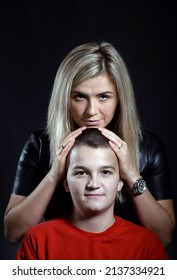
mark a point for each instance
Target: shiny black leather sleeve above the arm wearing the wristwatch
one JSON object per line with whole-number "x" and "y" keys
{"x": 154, "y": 166}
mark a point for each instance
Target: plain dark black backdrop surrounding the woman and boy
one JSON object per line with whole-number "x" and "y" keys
{"x": 34, "y": 38}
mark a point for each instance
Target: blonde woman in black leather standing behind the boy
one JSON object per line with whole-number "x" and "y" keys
{"x": 92, "y": 88}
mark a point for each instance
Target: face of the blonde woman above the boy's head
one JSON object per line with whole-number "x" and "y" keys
{"x": 94, "y": 101}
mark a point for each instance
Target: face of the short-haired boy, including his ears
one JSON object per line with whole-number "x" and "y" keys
{"x": 93, "y": 179}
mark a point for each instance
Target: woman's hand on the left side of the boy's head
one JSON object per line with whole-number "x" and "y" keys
{"x": 58, "y": 168}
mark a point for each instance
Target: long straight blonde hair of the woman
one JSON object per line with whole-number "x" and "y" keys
{"x": 84, "y": 62}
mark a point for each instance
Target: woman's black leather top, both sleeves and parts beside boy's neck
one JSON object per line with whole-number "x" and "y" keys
{"x": 33, "y": 165}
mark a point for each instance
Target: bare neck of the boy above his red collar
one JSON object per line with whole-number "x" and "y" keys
{"x": 96, "y": 223}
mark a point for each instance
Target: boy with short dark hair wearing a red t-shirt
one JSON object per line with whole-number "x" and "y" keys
{"x": 92, "y": 231}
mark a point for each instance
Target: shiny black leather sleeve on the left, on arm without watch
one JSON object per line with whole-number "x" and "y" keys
{"x": 33, "y": 164}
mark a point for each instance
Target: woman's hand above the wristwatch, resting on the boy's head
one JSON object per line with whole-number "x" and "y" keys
{"x": 128, "y": 171}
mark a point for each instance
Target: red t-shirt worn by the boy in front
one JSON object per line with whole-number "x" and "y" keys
{"x": 58, "y": 239}
